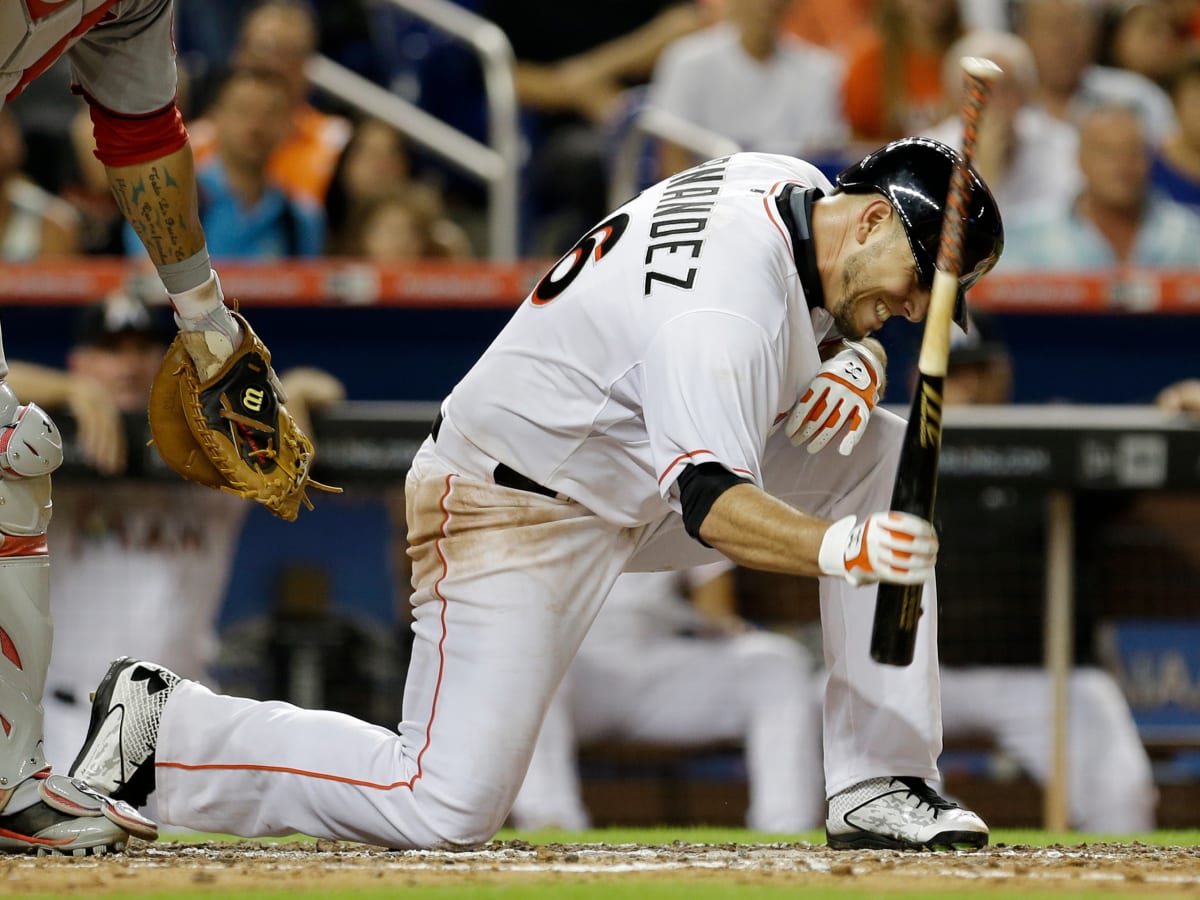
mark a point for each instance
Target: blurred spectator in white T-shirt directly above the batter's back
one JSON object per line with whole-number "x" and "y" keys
{"x": 747, "y": 80}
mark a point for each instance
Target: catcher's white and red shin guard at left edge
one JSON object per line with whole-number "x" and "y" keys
{"x": 31, "y": 449}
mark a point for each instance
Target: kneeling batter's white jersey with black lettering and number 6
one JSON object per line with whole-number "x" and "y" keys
{"x": 676, "y": 332}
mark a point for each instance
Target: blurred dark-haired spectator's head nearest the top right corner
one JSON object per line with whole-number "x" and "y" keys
{"x": 1142, "y": 37}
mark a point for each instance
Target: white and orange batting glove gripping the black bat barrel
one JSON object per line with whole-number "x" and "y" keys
{"x": 892, "y": 547}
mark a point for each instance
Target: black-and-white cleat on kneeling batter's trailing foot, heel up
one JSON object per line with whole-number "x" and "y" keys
{"x": 118, "y": 755}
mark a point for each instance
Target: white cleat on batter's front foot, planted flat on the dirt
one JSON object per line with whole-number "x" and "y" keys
{"x": 901, "y": 813}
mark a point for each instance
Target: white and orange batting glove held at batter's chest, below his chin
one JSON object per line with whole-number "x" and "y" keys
{"x": 838, "y": 401}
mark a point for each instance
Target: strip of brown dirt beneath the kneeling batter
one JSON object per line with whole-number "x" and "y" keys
{"x": 146, "y": 868}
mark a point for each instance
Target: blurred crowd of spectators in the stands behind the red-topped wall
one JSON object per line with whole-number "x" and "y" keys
{"x": 1094, "y": 135}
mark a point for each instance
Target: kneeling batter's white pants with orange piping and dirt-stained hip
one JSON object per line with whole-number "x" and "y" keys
{"x": 507, "y": 584}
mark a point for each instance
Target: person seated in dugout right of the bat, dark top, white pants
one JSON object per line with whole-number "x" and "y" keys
{"x": 991, "y": 631}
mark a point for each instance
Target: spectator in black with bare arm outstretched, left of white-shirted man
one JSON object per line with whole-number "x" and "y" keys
{"x": 572, "y": 76}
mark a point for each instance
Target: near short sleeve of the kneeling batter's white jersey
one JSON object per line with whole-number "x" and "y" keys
{"x": 712, "y": 385}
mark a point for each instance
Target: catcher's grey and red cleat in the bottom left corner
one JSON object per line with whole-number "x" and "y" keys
{"x": 70, "y": 819}
